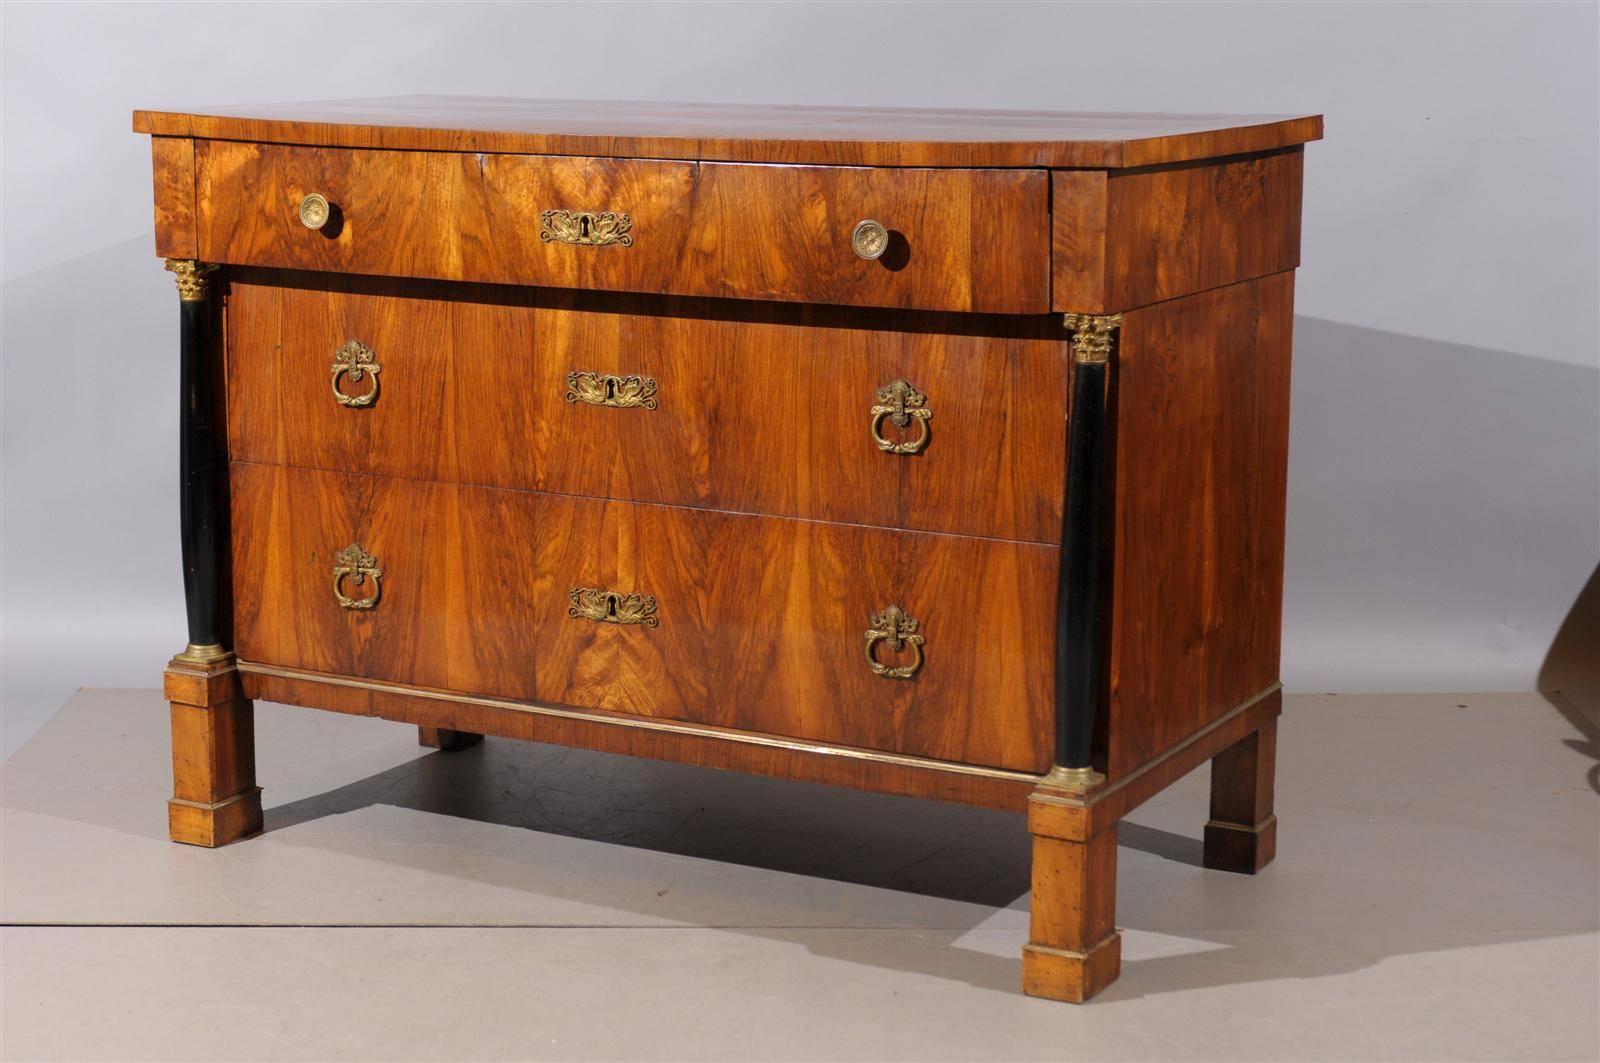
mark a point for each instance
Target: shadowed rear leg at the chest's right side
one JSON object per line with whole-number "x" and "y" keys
{"x": 1244, "y": 832}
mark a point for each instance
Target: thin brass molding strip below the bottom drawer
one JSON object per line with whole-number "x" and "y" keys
{"x": 698, "y": 731}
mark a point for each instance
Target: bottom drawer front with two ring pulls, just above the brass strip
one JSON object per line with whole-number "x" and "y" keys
{"x": 753, "y": 624}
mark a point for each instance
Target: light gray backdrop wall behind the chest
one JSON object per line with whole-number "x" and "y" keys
{"x": 1446, "y": 454}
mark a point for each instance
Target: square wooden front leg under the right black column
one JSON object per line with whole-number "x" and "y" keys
{"x": 1074, "y": 950}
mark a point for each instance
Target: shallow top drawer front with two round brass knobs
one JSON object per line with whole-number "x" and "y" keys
{"x": 958, "y": 239}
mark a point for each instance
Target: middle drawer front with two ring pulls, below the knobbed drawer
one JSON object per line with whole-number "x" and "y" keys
{"x": 788, "y": 412}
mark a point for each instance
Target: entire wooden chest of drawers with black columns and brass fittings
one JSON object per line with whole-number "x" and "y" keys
{"x": 937, "y": 454}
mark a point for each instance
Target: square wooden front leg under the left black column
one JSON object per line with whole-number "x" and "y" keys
{"x": 215, "y": 795}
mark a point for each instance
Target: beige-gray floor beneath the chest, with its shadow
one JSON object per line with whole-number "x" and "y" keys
{"x": 1434, "y": 899}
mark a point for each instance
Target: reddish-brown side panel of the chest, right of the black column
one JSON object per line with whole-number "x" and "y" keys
{"x": 1201, "y": 479}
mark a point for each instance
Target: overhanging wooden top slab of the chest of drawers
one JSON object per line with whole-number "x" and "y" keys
{"x": 876, "y": 137}
